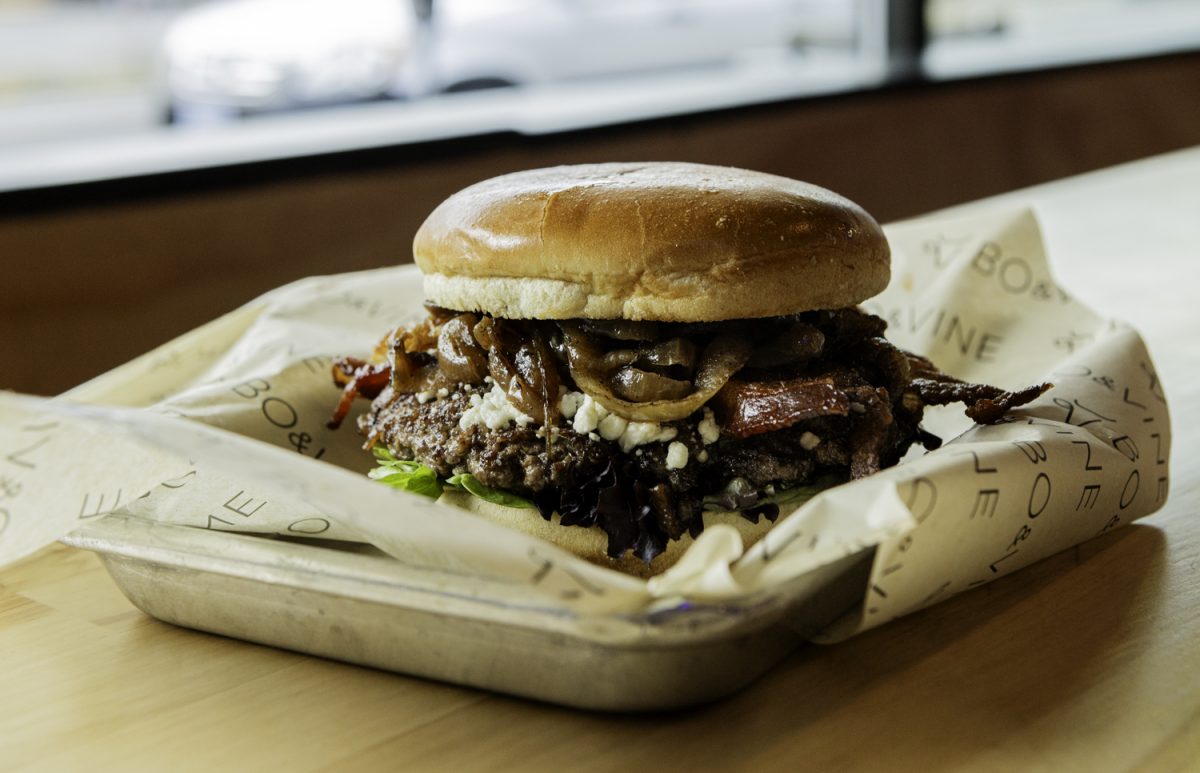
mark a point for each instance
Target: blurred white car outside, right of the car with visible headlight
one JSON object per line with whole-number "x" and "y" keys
{"x": 471, "y": 44}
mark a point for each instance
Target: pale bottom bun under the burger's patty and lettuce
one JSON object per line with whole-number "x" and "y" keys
{"x": 591, "y": 543}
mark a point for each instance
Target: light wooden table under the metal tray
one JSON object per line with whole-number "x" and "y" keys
{"x": 1089, "y": 661}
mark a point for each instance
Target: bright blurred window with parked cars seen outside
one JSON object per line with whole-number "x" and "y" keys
{"x": 98, "y": 89}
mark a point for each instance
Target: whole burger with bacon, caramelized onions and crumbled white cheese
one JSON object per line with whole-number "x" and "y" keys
{"x": 615, "y": 356}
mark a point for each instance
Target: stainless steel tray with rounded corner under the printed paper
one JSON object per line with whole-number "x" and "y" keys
{"x": 355, "y": 604}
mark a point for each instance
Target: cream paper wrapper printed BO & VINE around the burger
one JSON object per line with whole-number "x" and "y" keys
{"x": 225, "y": 429}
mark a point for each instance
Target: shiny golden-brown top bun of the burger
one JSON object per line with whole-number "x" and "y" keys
{"x": 664, "y": 242}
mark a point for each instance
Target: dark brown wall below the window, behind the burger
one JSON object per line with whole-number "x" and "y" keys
{"x": 95, "y": 275}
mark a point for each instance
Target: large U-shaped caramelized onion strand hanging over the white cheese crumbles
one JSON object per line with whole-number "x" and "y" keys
{"x": 722, "y": 358}
